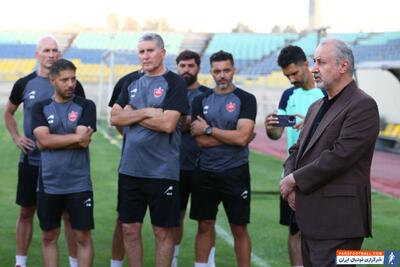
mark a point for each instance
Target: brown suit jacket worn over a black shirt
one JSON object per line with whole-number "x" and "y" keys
{"x": 333, "y": 193}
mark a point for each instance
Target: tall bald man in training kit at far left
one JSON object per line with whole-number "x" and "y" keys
{"x": 29, "y": 90}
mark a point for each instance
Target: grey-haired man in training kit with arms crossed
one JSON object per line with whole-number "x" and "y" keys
{"x": 149, "y": 109}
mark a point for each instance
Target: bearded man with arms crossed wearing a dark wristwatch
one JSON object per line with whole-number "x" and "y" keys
{"x": 223, "y": 124}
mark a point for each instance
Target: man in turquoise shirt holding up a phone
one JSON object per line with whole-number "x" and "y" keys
{"x": 294, "y": 101}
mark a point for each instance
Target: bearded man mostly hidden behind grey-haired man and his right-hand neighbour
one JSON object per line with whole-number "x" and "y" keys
{"x": 188, "y": 66}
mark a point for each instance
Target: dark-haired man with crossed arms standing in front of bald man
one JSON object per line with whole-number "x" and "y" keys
{"x": 63, "y": 126}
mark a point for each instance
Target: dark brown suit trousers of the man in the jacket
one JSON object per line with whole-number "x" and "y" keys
{"x": 322, "y": 252}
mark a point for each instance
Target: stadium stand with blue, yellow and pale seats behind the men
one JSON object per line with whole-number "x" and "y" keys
{"x": 255, "y": 53}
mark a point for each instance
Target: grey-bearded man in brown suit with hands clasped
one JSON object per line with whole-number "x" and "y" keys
{"x": 327, "y": 173}
